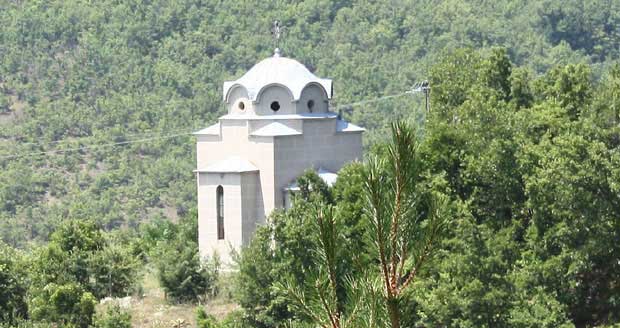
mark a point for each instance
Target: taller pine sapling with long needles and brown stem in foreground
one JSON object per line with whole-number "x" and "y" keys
{"x": 404, "y": 232}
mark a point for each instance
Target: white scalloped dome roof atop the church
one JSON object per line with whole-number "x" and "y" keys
{"x": 280, "y": 71}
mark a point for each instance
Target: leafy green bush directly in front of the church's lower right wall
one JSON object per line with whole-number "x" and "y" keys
{"x": 282, "y": 247}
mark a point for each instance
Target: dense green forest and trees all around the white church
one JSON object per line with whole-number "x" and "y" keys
{"x": 511, "y": 182}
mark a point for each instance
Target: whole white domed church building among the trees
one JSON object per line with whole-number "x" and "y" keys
{"x": 278, "y": 125}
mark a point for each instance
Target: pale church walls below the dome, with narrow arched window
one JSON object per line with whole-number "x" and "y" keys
{"x": 251, "y": 196}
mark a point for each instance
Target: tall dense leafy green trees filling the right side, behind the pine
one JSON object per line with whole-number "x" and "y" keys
{"x": 532, "y": 168}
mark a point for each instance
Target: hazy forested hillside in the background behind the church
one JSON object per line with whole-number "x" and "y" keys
{"x": 79, "y": 73}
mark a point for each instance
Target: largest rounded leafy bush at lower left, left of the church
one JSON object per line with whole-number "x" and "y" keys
{"x": 78, "y": 266}
